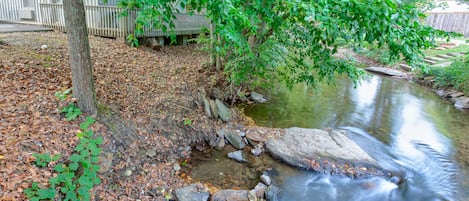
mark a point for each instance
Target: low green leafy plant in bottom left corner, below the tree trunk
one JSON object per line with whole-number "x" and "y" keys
{"x": 75, "y": 179}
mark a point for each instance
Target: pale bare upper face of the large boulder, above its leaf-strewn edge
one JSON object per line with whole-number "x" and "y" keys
{"x": 302, "y": 147}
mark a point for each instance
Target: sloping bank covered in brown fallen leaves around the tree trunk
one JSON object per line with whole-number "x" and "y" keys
{"x": 144, "y": 95}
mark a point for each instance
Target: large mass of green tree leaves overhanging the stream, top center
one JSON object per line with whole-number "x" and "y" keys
{"x": 296, "y": 40}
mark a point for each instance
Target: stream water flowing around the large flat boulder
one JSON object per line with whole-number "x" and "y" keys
{"x": 406, "y": 127}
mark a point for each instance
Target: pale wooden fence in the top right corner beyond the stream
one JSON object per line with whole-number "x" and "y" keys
{"x": 450, "y": 21}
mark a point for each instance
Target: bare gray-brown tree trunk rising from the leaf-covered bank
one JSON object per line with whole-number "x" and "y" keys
{"x": 80, "y": 59}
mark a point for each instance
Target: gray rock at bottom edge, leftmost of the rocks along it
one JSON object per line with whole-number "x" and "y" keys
{"x": 194, "y": 192}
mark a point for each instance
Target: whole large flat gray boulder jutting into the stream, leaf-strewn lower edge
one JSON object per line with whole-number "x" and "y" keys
{"x": 323, "y": 151}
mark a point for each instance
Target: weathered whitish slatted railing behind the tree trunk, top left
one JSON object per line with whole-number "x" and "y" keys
{"x": 102, "y": 20}
